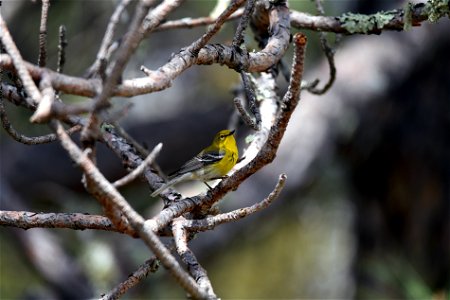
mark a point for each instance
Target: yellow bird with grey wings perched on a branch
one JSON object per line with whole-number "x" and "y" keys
{"x": 213, "y": 162}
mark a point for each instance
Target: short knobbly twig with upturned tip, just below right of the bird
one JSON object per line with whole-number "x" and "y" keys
{"x": 210, "y": 223}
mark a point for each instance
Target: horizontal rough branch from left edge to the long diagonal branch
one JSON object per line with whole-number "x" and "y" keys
{"x": 76, "y": 221}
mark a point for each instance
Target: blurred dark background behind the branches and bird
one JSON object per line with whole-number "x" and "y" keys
{"x": 366, "y": 209}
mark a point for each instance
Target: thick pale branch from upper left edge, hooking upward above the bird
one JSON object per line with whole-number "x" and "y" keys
{"x": 162, "y": 77}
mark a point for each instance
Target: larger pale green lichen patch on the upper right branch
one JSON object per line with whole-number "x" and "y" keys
{"x": 358, "y": 23}
